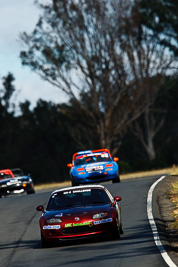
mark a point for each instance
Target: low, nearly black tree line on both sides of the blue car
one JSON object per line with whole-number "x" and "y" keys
{"x": 41, "y": 140}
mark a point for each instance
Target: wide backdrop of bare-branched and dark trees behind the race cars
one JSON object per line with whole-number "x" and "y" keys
{"x": 117, "y": 63}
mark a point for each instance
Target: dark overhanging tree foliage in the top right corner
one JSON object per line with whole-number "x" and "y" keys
{"x": 161, "y": 17}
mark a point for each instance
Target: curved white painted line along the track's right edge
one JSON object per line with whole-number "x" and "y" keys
{"x": 153, "y": 224}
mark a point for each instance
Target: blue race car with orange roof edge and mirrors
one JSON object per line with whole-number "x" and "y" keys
{"x": 93, "y": 166}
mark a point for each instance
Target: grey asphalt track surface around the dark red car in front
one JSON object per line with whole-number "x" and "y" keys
{"x": 20, "y": 236}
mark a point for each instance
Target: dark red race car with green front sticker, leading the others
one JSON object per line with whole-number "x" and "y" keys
{"x": 81, "y": 211}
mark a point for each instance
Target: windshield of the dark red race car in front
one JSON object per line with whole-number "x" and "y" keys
{"x": 81, "y": 197}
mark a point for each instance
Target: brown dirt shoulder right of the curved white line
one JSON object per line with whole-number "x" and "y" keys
{"x": 165, "y": 208}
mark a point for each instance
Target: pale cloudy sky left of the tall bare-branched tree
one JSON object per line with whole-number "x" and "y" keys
{"x": 17, "y": 16}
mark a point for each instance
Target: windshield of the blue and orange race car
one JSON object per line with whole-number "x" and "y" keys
{"x": 92, "y": 158}
